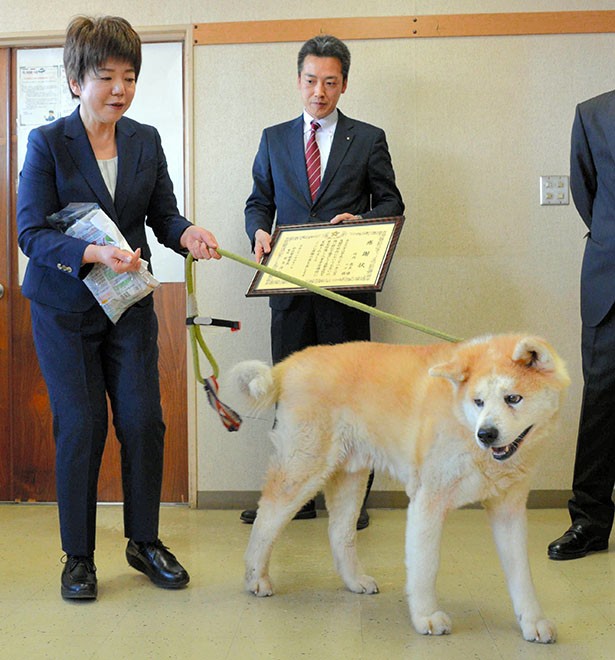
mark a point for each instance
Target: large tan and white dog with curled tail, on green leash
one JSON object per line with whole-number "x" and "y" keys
{"x": 455, "y": 423}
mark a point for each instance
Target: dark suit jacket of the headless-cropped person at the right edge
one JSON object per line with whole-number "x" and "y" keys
{"x": 592, "y": 182}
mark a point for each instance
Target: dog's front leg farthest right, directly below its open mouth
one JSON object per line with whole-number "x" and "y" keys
{"x": 509, "y": 526}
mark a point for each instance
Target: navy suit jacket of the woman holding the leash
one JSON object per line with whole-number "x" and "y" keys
{"x": 60, "y": 168}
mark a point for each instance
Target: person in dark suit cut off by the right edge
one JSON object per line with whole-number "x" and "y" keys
{"x": 592, "y": 180}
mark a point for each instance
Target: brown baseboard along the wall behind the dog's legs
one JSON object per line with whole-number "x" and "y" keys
{"x": 384, "y": 499}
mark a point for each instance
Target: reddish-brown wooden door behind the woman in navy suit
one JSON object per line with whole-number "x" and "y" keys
{"x": 26, "y": 428}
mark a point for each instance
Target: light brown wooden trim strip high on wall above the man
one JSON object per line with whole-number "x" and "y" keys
{"x": 407, "y": 27}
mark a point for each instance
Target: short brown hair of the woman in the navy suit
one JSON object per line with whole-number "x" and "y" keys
{"x": 90, "y": 42}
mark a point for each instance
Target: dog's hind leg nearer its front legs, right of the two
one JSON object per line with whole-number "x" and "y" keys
{"x": 344, "y": 493}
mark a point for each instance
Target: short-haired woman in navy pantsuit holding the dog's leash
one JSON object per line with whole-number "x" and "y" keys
{"x": 98, "y": 155}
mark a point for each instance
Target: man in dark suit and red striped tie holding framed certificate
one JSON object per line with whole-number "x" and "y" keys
{"x": 354, "y": 180}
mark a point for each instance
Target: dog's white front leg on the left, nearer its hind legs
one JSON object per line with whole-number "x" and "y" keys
{"x": 423, "y": 535}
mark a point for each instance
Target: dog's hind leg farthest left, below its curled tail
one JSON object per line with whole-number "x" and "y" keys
{"x": 287, "y": 488}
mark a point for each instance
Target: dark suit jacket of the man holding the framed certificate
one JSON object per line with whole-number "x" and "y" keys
{"x": 358, "y": 179}
